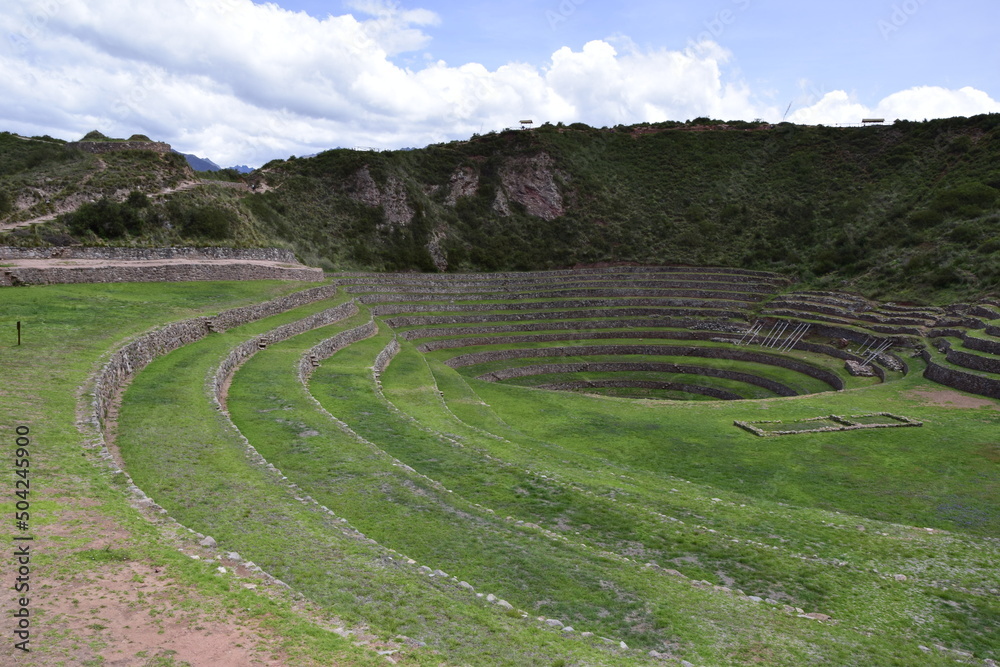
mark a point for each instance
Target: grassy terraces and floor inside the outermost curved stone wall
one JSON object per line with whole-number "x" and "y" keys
{"x": 653, "y": 522}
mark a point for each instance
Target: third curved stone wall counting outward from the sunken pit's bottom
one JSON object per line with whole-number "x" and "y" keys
{"x": 821, "y": 374}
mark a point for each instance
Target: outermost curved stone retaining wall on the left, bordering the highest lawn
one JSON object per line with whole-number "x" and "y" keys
{"x": 136, "y": 355}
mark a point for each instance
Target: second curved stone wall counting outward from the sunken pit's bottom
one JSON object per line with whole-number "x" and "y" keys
{"x": 635, "y": 367}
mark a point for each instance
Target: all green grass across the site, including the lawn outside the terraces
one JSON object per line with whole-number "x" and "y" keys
{"x": 404, "y": 505}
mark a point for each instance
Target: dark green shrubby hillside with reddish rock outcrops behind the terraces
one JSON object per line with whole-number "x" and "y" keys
{"x": 905, "y": 211}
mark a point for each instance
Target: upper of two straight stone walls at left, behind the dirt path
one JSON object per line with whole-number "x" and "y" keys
{"x": 135, "y": 254}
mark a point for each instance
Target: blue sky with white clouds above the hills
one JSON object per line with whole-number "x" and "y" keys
{"x": 244, "y": 82}
